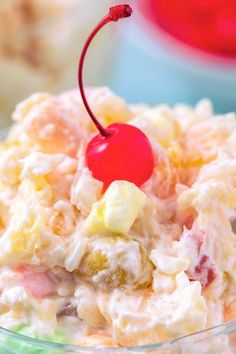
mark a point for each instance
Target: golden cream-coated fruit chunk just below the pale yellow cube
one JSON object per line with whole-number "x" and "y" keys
{"x": 108, "y": 264}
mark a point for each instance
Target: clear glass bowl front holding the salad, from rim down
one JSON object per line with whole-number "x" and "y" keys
{"x": 220, "y": 339}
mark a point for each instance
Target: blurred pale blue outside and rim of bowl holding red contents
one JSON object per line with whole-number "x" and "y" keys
{"x": 153, "y": 67}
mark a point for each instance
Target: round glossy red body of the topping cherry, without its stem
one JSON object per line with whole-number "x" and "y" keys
{"x": 125, "y": 155}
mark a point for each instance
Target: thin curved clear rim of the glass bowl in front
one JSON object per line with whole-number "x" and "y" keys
{"x": 200, "y": 336}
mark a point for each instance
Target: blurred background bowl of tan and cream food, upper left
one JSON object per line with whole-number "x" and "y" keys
{"x": 40, "y": 45}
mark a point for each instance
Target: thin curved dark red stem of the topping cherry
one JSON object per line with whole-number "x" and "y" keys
{"x": 115, "y": 13}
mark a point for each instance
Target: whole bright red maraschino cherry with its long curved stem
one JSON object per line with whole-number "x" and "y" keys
{"x": 120, "y": 151}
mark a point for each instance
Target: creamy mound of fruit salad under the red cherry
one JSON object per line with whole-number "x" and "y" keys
{"x": 122, "y": 265}
